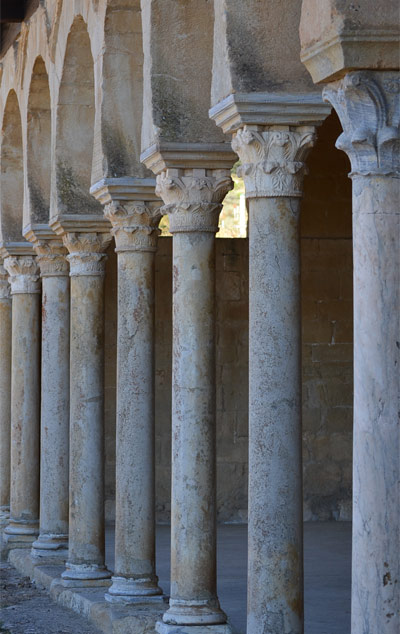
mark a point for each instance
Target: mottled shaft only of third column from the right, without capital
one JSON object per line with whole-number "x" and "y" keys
{"x": 193, "y": 512}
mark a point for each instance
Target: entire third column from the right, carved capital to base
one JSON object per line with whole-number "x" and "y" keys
{"x": 193, "y": 201}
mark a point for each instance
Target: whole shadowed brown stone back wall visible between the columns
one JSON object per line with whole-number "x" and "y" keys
{"x": 327, "y": 352}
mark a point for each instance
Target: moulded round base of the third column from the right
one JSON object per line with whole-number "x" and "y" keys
{"x": 190, "y": 613}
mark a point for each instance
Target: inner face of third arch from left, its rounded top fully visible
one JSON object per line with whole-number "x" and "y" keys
{"x": 75, "y": 126}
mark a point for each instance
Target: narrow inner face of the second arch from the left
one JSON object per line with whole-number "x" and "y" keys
{"x": 39, "y": 144}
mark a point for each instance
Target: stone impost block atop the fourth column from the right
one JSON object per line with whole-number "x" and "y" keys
{"x": 124, "y": 189}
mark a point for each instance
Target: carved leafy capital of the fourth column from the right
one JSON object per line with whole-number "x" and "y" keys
{"x": 134, "y": 224}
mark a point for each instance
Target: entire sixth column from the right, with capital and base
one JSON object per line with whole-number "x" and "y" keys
{"x": 54, "y": 440}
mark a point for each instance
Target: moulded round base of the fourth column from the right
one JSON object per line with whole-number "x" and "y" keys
{"x": 129, "y": 590}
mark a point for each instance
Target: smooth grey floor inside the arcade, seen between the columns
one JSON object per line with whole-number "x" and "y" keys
{"x": 327, "y": 567}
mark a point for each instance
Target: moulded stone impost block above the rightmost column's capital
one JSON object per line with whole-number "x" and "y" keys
{"x": 331, "y": 58}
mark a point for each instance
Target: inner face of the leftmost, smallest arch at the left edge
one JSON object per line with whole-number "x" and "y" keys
{"x": 12, "y": 175}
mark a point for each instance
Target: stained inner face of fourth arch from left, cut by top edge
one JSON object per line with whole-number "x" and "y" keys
{"x": 121, "y": 93}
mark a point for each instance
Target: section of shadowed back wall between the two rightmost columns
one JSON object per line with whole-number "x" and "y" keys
{"x": 327, "y": 325}
